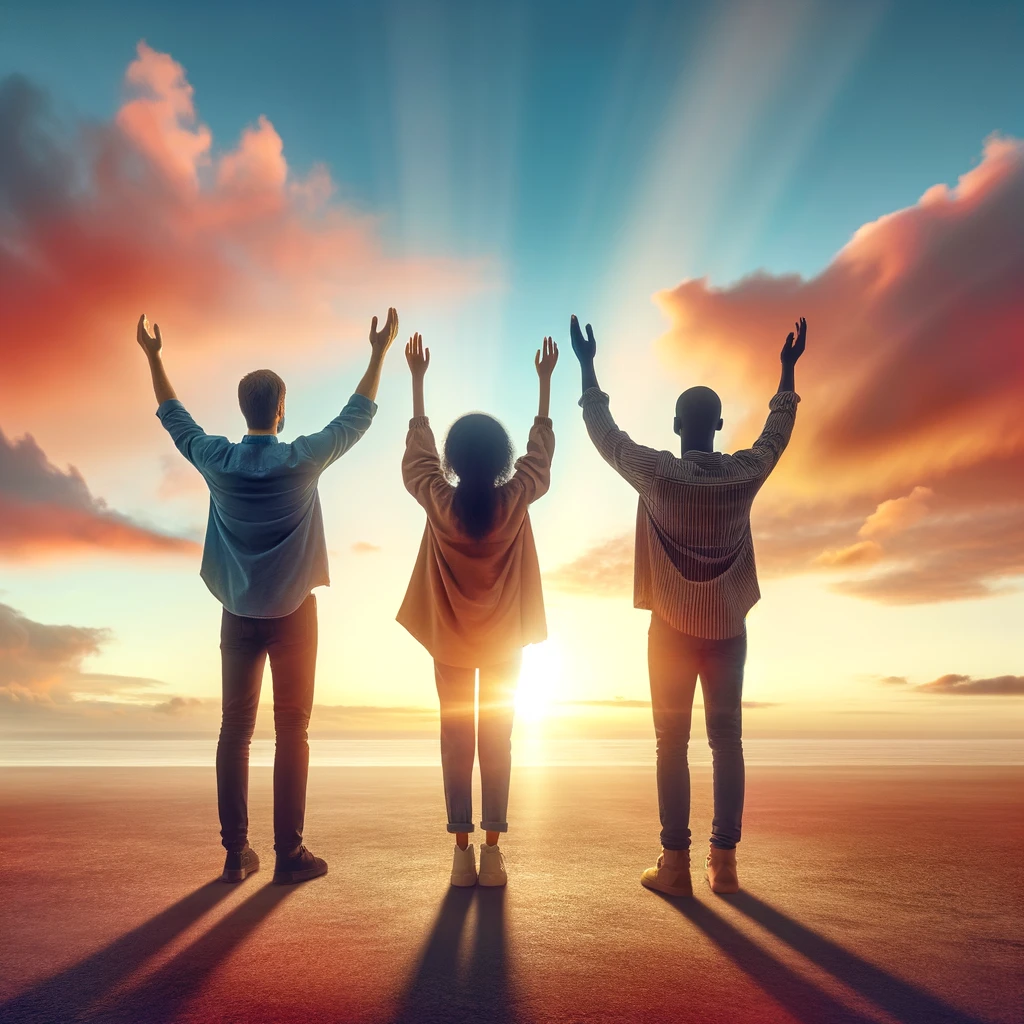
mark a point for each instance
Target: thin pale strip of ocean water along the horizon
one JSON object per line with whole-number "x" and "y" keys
{"x": 421, "y": 752}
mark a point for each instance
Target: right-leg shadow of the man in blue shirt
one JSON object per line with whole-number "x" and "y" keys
{"x": 162, "y": 996}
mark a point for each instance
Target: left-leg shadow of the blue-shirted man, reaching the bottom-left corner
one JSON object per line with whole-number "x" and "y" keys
{"x": 67, "y": 997}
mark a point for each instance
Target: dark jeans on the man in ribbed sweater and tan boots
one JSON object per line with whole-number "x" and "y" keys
{"x": 676, "y": 661}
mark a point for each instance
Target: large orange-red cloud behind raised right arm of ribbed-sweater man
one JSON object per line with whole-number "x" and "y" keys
{"x": 907, "y": 467}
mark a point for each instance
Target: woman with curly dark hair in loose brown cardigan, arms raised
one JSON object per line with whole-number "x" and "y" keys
{"x": 475, "y": 601}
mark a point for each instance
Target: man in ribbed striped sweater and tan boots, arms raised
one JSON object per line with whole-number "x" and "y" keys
{"x": 695, "y": 571}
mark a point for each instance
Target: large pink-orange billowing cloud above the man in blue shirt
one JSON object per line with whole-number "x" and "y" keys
{"x": 227, "y": 250}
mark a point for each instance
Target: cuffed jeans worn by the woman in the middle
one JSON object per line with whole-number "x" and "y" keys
{"x": 456, "y": 691}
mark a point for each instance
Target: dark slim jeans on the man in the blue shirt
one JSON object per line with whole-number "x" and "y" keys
{"x": 245, "y": 645}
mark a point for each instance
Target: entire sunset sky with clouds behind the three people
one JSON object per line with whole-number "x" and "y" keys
{"x": 690, "y": 179}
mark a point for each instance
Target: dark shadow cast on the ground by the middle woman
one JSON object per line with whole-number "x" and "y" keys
{"x": 440, "y": 991}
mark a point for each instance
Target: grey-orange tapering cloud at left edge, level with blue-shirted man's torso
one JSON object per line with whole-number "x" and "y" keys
{"x": 46, "y": 511}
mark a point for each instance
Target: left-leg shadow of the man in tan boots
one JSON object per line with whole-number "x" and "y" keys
{"x": 805, "y": 1001}
